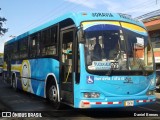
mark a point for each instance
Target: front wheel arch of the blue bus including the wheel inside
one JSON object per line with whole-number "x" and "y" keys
{"x": 52, "y": 91}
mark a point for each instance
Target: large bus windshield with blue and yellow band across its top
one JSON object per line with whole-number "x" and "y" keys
{"x": 111, "y": 45}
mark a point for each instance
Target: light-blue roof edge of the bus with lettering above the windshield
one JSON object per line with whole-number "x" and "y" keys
{"x": 78, "y": 18}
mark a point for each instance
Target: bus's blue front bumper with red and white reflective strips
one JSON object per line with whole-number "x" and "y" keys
{"x": 112, "y": 102}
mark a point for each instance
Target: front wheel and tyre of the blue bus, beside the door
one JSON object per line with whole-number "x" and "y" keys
{"x": 52, "y": 95}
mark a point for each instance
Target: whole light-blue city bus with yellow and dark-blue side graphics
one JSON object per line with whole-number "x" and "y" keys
{"x": 85, "y": 60}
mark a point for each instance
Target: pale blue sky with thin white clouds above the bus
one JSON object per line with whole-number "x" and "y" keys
{"x": 24, "y": 15}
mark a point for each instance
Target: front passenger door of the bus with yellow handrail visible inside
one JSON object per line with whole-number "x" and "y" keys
{"x": 67, "y": 64}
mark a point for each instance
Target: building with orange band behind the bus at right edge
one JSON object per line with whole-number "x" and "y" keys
{"x": 152, "y": 23}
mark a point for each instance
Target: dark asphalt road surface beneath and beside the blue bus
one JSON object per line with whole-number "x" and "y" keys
{"x": 23, "y": 102}
